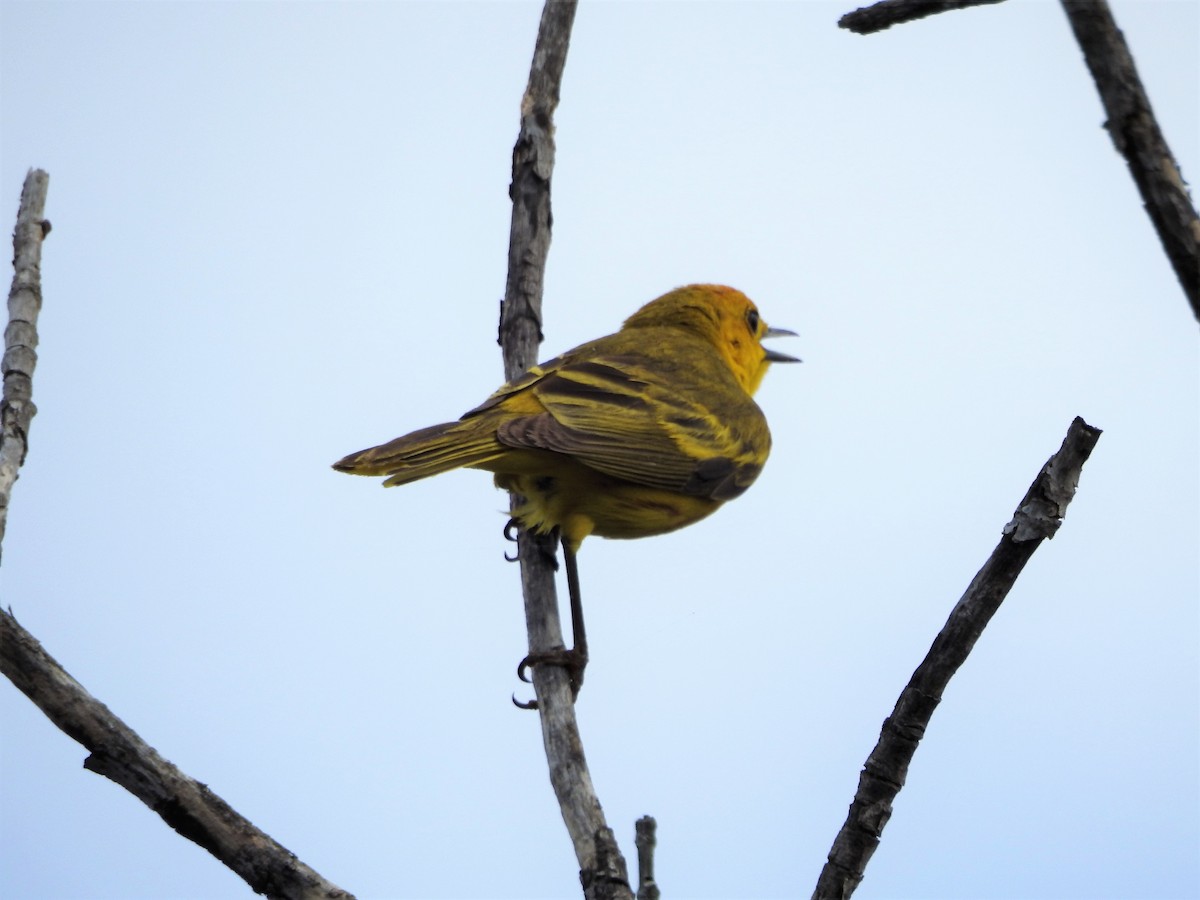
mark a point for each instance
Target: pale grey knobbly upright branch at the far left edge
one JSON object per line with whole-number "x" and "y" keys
{"x": 17, "y": 407}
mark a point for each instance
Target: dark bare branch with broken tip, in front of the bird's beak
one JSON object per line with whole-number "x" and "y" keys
{"x": 1037, "y": 518}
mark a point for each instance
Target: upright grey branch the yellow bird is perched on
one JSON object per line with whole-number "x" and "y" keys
{"x": 603, "y": 869}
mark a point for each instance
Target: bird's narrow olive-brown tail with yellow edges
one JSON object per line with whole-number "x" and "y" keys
{"x": 429, "y": 452}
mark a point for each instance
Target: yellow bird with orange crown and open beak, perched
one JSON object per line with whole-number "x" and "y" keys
{"x": 634, "y": 435}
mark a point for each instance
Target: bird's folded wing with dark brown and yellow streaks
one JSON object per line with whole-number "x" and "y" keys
{"x": 637, "y": 419}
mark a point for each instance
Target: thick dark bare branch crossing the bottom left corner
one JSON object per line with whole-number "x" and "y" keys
{"x": 117, "y": 753}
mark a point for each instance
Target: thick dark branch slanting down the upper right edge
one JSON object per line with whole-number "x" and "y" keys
{"x": 1138, "y": 139}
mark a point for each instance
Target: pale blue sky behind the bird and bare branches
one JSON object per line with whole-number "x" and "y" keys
{"x": 280, "y": 236}
